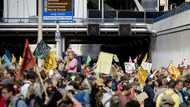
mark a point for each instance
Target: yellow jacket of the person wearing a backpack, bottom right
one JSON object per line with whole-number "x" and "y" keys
{"x": 173, "y": 95}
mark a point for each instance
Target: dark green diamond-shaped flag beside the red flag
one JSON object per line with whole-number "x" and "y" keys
{"x": 41, "y": 50}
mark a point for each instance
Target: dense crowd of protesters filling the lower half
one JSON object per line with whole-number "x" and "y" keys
{"x": 76, "y": 85}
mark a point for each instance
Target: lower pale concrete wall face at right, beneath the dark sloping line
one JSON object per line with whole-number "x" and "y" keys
{"x": 172, "y": 47}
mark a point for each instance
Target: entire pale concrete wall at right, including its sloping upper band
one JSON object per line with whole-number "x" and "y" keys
{"x": 171, "y": 45}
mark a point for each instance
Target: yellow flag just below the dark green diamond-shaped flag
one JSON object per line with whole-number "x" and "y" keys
{"x": 50, "y": 62}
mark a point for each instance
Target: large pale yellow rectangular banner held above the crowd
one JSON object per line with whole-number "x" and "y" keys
{"x": 104, "y": 63}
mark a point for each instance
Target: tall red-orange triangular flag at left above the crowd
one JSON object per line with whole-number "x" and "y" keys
{"x": 28, "y": 59}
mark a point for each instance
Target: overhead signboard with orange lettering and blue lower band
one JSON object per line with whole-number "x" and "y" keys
{"x": 58, "y": 10}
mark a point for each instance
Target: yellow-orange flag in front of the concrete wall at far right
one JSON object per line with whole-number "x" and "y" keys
{"x": 174, "y": 71}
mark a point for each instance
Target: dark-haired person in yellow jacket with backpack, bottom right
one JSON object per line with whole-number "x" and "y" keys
{"x": 169, "y": 98}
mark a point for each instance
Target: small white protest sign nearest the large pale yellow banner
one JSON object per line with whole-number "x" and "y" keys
{"x": 129, "y": 67}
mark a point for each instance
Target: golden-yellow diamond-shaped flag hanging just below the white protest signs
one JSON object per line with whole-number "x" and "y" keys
{"x": 142, "y": 75}
